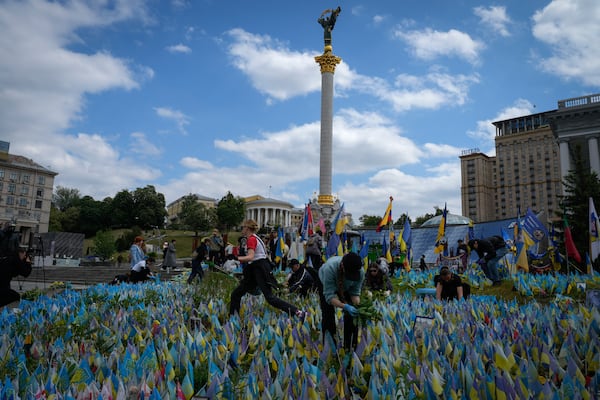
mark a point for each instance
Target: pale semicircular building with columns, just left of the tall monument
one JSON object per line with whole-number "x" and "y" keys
{"x": 269, "y": 212}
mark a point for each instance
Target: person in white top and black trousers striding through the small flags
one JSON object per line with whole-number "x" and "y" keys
{"x": 256, "y": 274}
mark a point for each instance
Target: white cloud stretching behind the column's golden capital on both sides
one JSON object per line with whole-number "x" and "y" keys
{"x": 269, "y": 66}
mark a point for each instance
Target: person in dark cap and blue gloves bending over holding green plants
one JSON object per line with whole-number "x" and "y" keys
{"x": 341, "y": 280}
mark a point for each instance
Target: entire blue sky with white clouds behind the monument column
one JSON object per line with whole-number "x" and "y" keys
{"x": 214, "y": 96}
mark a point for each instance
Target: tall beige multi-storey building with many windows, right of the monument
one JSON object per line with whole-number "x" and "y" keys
{"x": 525, "y": 172}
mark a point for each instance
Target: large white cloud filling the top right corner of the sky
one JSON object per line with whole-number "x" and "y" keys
{"x": 570, "y": 29}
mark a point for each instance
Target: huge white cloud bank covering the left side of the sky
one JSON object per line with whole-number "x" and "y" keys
{"x": 44, "y": 82}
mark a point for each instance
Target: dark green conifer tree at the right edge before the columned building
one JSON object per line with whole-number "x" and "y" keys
{"x": 580, "y": 184}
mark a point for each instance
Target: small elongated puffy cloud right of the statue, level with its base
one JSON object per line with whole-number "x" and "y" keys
{"x": 429, "y": 44}
